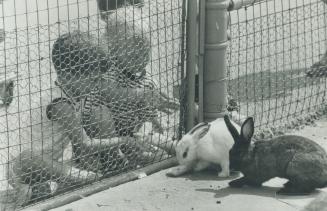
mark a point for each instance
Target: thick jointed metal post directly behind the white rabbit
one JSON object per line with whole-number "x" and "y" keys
{"x": 214, "y": 79}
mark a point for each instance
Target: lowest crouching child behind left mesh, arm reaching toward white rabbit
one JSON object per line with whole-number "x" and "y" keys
{"x": 32, "y": 171}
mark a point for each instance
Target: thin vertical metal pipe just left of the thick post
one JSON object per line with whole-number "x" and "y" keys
{"x": 191, "y": 57}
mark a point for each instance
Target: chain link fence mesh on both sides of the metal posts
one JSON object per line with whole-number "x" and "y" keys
{"x": 90, "y": 87}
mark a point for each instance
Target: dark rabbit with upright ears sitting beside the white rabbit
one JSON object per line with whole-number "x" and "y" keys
{"x": 298, "y": 159}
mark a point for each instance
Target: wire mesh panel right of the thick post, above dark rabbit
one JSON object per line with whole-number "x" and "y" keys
{"x": 273, "y": 56}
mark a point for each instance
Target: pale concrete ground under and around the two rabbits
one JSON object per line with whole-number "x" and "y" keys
{"x": 200, "y": 191}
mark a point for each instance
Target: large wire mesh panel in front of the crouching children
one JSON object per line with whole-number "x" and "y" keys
{"x": 88, "y": 92}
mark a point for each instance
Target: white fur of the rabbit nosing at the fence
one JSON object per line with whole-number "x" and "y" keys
{"x": 212, "y": 148}
